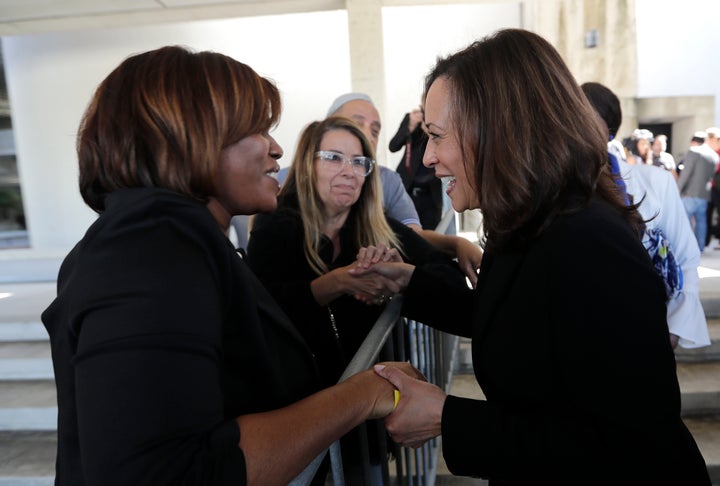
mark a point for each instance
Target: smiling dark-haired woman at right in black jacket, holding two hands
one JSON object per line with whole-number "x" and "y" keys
{"x": 569, "y": 337}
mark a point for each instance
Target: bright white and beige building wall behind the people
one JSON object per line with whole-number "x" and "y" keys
{"x": 654, "y": 54}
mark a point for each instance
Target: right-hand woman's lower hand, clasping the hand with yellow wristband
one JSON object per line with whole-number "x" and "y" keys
{"x": 418, "y": 416}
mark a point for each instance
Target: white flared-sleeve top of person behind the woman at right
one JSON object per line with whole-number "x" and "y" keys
{"x": 664, "y": 209}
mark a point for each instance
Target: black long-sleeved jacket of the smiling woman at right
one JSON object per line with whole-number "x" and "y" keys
{"x": 570, "y": 346}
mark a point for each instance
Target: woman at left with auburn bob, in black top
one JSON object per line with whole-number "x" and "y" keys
{"x": 173, "y": 364}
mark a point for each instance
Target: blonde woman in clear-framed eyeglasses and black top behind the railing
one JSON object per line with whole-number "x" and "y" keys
{"x": 329, "y": 209}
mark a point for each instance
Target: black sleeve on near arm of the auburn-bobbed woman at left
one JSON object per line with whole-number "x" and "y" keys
{"x": 149, "y": 401}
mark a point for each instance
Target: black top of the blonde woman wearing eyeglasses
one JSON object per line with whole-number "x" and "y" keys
{"x": 276, "y": 255}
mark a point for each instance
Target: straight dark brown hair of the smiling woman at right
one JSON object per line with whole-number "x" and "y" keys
{"x": 532, "y": 136}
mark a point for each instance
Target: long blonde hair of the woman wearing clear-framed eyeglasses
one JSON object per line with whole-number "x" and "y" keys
{"x": 367, "y": 219}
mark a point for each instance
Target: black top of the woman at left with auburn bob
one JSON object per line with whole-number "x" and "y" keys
{"x": 160, "y": 337}
